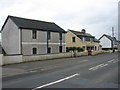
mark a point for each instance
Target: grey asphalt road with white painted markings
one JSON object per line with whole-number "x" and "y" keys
{"x": 100, "y": 71}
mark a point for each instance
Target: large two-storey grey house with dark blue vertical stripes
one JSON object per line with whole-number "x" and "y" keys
{"x": 28, "y": 37}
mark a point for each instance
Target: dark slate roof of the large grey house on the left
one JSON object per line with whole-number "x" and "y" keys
{"x": 35, "y": 24}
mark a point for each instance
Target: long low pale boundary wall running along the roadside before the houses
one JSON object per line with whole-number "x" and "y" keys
{"x": 26, "y": 58}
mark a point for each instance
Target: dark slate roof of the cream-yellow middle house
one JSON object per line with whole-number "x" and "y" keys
{"x": 81, "y": 34}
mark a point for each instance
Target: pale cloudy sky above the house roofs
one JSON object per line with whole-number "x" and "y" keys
{"x": 96, "y": 16}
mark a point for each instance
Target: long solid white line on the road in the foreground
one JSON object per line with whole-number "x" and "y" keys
{"x": 57, "y": 81}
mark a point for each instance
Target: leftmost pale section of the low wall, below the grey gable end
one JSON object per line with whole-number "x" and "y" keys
{"x": 12, "y": 59}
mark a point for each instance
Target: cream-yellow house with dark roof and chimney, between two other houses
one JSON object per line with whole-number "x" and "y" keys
{"x": 82, "y": 39}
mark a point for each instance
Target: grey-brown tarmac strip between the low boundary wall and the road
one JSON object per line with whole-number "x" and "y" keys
{"x": 26, "y": 67}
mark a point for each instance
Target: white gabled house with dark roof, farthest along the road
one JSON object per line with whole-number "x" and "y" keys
{"x": 108, "y": 42}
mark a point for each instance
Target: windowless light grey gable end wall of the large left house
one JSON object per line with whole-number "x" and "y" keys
{"x": 11, "y": 38}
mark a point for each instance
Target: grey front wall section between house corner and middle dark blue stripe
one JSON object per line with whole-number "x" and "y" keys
{"x": 28, "y": 43}
